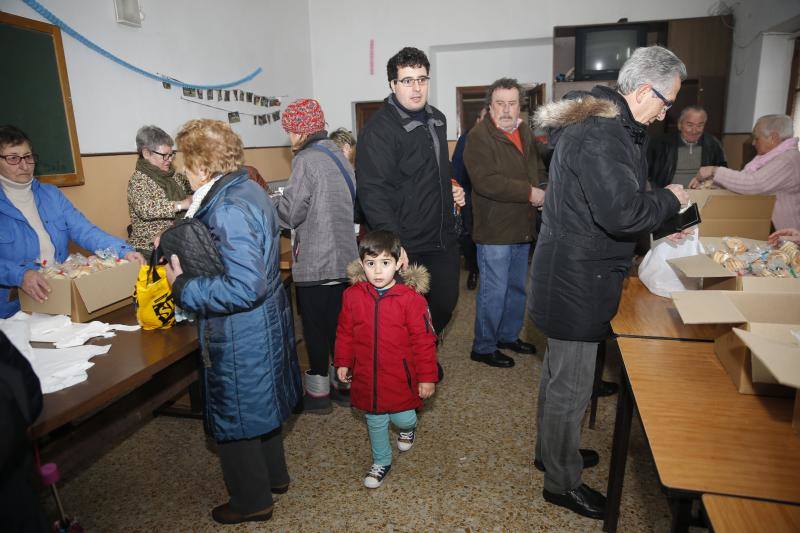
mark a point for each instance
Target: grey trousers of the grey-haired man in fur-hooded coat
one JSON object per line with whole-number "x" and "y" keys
{"x": 564, "y": 393}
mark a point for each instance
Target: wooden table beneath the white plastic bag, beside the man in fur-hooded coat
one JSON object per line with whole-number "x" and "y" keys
{"x": 643, "y": 314}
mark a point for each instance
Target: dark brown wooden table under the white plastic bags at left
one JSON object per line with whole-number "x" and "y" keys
{"x": 134, "y": 358}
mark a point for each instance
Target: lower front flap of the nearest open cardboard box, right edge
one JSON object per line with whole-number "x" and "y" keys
{"x": 780, "y": 359}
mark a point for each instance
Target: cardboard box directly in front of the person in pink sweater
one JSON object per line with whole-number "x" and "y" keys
{"x": 724, "y": 213}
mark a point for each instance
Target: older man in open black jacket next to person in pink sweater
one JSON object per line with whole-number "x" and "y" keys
{"x": 676, "y": 156}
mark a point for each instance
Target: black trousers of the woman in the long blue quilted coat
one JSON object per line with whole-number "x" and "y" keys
{"x": 251, "y": 467}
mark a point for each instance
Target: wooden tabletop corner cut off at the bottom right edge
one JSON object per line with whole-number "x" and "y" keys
{"x": 739, "y": 515}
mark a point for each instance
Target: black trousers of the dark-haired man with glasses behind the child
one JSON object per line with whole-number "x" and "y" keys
{"x": 443, "y": 295}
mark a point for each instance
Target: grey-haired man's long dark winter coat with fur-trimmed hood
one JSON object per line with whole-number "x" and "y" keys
{"x": 595, "y": 208}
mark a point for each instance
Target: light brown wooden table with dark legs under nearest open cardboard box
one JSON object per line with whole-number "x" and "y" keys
{"x": 705, "y": 437}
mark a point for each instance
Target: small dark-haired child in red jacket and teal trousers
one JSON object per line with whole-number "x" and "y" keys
{"x": 386, "y": 346}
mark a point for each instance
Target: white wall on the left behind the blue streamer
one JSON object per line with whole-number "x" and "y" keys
{"x": 195, "y": 41}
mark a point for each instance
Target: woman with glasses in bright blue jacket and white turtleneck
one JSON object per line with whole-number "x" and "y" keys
{"x": 36, "y": 224}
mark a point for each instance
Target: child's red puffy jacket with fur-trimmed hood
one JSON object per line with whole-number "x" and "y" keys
{"x": 387, "y": 342}
